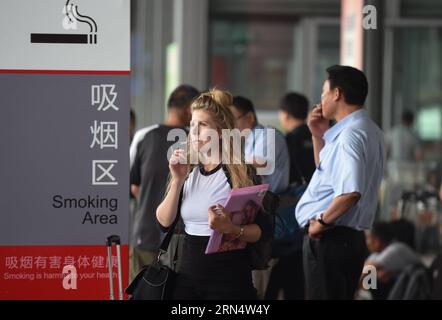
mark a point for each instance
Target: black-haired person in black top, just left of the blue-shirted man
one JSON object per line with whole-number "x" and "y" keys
{"x": 292, "y": 116}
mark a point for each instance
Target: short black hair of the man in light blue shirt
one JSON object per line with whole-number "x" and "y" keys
{"x": 351, "y": 81}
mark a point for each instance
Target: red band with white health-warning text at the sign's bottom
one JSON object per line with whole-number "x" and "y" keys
{"x": 36, "y": 272}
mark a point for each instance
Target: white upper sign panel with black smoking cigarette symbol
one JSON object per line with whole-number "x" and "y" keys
{"x": 65, "y": 35}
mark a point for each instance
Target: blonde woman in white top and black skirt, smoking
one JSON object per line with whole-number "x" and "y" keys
{"x": 225, "y": 275}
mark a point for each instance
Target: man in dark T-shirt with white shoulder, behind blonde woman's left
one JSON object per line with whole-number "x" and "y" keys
{"x": 148, "y": 176}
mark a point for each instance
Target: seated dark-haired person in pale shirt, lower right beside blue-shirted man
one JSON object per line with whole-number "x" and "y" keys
{"x": 388, "y": 256}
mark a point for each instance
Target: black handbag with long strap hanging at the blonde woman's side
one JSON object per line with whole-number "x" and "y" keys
{"x": 156, "y": 281}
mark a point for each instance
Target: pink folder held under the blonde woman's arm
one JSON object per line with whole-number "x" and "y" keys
{"x": 243, "y": 205}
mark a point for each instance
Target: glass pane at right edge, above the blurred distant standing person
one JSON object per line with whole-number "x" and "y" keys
{"x": 417, "y": 75}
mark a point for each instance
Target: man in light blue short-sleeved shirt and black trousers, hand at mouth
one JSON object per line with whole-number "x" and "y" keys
{"x": 340, "y": 201}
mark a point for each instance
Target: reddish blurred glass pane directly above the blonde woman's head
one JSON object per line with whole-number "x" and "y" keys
{"x": 253, "y": 58}
